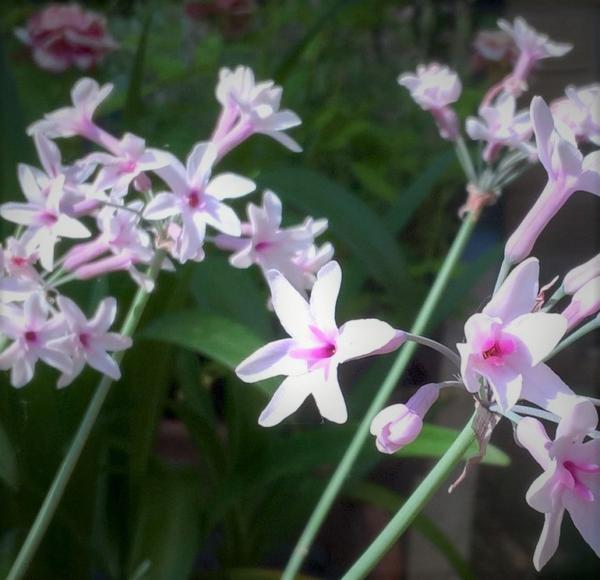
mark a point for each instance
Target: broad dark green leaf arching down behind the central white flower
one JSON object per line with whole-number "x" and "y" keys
{"x": 350, "y": 219}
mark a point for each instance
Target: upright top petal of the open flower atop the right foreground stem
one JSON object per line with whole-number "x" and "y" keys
{"x": 518, "y": 293}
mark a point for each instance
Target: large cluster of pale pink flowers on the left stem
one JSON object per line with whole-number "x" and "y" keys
{"x": 122, "y": 208}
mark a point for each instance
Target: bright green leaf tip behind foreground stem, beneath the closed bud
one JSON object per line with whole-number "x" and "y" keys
{"x": 433, "y": 441}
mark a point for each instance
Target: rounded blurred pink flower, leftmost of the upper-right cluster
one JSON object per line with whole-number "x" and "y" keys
{"x": 434, "y": 88}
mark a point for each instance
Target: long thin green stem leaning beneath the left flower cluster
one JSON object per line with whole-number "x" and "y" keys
{"x": 63, "y": 475}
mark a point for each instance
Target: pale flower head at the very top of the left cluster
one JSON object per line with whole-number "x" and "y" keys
{"x": 249, "y": 107}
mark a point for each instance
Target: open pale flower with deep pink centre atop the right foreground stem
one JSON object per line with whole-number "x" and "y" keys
{"x": 507, "y": 342}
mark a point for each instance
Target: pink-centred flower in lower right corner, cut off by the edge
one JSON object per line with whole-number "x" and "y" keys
{"x": 571, "y": 478}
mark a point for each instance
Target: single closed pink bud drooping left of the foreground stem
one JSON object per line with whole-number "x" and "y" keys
{"x": 398, "y": 425}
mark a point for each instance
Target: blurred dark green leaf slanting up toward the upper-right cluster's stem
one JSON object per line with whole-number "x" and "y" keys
{"x": 409, "y": 201}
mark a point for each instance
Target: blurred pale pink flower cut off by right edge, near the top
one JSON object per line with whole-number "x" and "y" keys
{"x": 580, "y": 111}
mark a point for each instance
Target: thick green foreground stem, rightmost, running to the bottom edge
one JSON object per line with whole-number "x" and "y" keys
{"x": 413, "y": 505}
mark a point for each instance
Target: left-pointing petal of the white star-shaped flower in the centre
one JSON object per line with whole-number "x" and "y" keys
{"x": 269, "y": 361}
